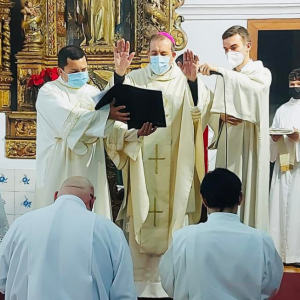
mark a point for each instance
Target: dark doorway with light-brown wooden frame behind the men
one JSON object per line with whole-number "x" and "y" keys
{"x": 276, "y": 43}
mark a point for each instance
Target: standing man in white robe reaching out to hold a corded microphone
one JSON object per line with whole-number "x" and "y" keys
{"x": 240, "y": 120}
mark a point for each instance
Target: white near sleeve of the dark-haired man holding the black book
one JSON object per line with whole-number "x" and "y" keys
{"x": 68, "y": 122}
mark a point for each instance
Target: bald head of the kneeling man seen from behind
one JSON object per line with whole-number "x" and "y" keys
{"x": 78, "y": 186}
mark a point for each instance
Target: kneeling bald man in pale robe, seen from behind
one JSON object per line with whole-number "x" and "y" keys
{"x": 65, "y": 252}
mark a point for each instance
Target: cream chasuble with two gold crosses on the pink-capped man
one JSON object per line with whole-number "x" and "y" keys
{"x": 162, "y": 184}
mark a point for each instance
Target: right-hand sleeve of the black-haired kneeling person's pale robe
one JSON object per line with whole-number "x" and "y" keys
{"x": 272, "y": 269}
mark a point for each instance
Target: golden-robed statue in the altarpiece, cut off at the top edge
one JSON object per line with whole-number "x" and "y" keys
{"x": 98, "y": 19}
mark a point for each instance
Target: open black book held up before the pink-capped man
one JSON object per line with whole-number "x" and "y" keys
{"x": 142, "y": 104}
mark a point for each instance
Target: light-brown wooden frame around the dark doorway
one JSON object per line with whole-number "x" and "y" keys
{"x": 254, "y": 26}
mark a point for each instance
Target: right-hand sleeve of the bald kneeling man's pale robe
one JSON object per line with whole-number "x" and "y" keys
{"x": 123, "y": 287}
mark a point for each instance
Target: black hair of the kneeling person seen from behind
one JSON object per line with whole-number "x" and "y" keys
{"x": 221, "y": 188}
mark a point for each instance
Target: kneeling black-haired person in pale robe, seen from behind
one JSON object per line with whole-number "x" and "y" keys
{"x": 222, "y": 258}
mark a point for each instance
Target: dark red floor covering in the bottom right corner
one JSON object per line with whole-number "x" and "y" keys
{"x": 290, "y": 287}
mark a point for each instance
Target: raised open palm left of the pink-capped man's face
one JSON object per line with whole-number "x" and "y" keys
{"x": 122, "y": 57}
